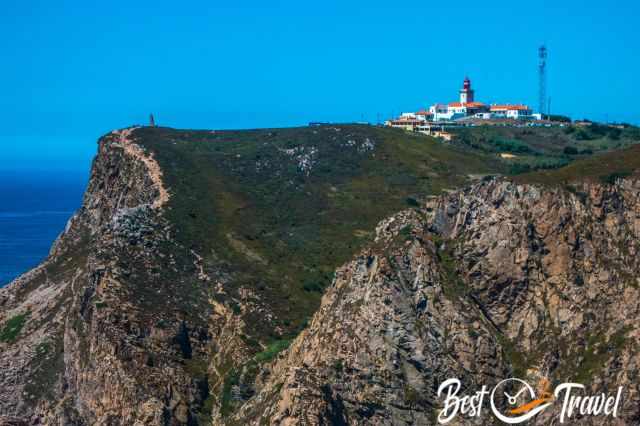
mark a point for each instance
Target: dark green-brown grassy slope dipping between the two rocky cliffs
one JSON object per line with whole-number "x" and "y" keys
{"x": 239, "y": 200}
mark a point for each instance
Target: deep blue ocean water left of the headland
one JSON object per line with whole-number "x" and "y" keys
{"x": 34, "y": 209}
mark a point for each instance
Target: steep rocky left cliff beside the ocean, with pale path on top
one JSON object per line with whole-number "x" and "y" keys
{"x": 107, "y": 331}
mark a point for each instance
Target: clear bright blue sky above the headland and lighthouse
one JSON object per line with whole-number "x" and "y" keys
{"x": 73, "y": 70}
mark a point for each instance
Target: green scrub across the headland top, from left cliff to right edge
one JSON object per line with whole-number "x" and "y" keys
{"x": 242, "y": 201}
